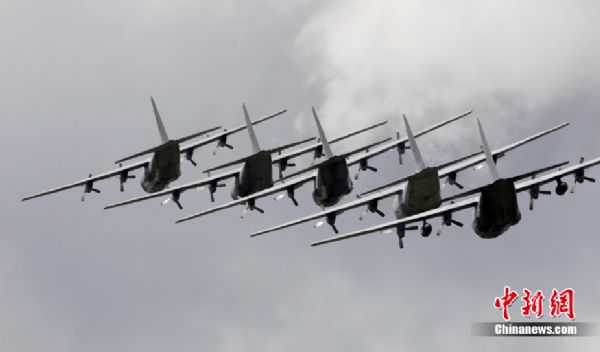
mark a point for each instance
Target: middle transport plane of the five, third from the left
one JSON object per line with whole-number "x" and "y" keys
{"x": 331, "y": 177}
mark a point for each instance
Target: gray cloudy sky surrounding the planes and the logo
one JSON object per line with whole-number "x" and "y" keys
{"x": 77, "y": 78}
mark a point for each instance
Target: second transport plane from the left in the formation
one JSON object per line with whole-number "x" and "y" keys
{"x": 255, "y": 174}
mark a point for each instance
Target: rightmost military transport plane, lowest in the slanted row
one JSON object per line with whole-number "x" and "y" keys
{"x": 496, "y": 206}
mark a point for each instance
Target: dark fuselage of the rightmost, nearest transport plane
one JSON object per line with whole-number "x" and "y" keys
{"x": 497, "y": 210}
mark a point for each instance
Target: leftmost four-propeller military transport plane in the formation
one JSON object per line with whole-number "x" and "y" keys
{"x": 164, "y": 166}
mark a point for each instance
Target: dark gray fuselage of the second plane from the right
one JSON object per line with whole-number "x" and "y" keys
{"x": 421, "y": 193}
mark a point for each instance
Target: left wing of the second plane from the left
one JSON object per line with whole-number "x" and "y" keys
{"x": 175, "y": 192}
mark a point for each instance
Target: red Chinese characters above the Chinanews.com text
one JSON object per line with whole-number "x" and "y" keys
{"x": 560, "y": 303}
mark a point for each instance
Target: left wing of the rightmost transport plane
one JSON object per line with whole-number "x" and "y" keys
{"x": 448, "y": 209}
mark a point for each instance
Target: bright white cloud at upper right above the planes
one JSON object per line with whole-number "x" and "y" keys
{"x": 432, "y": 59}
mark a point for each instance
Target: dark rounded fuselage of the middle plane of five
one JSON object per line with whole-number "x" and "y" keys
{"x": 333, "y": 181}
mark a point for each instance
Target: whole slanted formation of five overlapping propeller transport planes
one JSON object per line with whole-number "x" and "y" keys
{"x": 417, "y": 198}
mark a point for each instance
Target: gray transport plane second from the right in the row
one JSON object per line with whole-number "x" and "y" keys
{"x": 413, "y": 194}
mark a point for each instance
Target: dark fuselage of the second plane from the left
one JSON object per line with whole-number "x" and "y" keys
{"x": 256, "y": 175}
